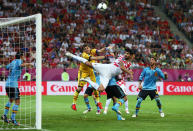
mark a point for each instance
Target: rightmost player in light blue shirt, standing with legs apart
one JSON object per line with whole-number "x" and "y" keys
{"x": 151, "y": 75}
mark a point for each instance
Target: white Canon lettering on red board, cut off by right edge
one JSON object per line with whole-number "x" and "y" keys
{"x": 173, "y": 88}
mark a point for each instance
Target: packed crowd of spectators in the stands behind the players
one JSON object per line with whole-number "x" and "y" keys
{"x": 69, "y": 24}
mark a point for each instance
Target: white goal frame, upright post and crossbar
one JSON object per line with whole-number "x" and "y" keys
{"x": 38, "y": 21}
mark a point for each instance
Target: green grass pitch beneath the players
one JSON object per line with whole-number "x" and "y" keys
{"x": 57, "y": 115}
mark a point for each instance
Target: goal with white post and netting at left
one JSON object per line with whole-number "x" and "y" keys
{"x": 21, "y": 35}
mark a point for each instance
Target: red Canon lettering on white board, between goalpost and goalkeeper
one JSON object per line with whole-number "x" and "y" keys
{"x": 57, "y": 88}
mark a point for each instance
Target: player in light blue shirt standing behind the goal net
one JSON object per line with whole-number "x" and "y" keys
{"x": 15, "y": 68}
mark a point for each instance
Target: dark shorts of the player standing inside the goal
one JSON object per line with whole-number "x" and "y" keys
{"x": 13, "y": 93}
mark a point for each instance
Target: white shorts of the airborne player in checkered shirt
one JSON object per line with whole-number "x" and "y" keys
{"x": 106, "y": 72}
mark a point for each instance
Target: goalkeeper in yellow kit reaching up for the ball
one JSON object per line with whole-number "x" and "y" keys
{"x": 86, "y": 71}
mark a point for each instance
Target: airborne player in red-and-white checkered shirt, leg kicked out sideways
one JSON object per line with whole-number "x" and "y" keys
{"x": 106, "y": 71}
